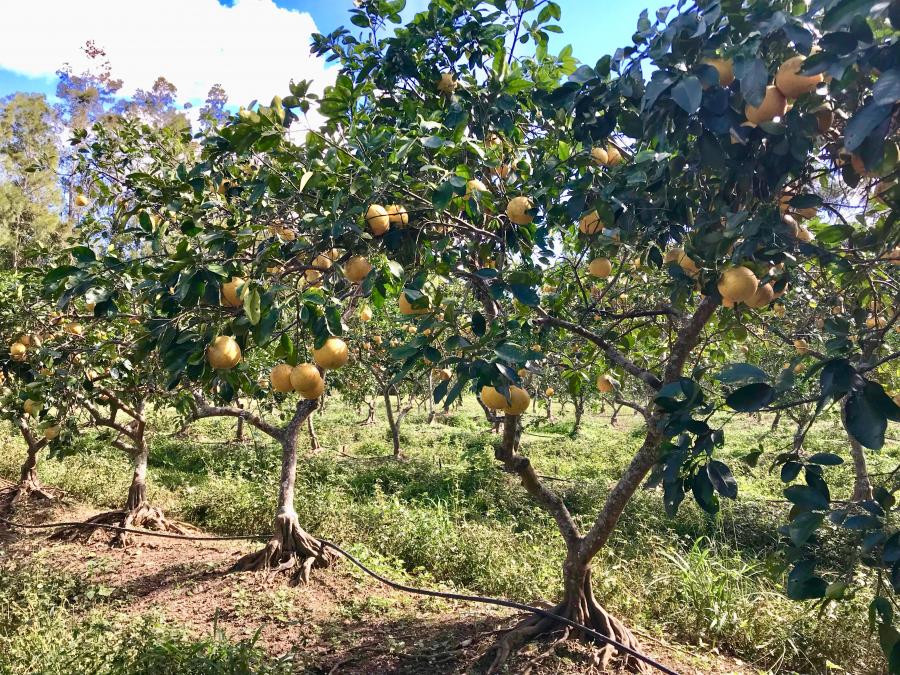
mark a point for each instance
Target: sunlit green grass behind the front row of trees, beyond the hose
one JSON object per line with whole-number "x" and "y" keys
{"x": 449, "y": 517}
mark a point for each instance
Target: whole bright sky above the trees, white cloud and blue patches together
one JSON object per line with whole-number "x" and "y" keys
{"x": 252, "y": 46}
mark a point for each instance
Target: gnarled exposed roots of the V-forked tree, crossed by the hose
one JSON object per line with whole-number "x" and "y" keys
{"x": 586, "y": 611}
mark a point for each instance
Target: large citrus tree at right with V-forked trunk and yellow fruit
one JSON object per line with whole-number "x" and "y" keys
{"x": 702, "y": 173}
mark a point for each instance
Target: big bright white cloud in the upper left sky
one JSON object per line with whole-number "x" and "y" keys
{"x": 253, "y": 48}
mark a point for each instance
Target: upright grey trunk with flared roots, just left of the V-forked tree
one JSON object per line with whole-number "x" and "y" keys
{"x": 291, "y": 549}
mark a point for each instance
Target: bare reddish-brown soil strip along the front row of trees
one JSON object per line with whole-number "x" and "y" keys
{"x": 342, "y": 622}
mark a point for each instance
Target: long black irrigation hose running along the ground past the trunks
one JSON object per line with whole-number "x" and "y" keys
{"x": 393, "y": 584}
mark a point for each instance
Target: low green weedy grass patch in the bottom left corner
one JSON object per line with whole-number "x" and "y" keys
{"x": 54, "y": 622}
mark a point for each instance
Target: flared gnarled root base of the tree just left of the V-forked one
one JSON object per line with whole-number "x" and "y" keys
{"x": 291, "y": 550}
